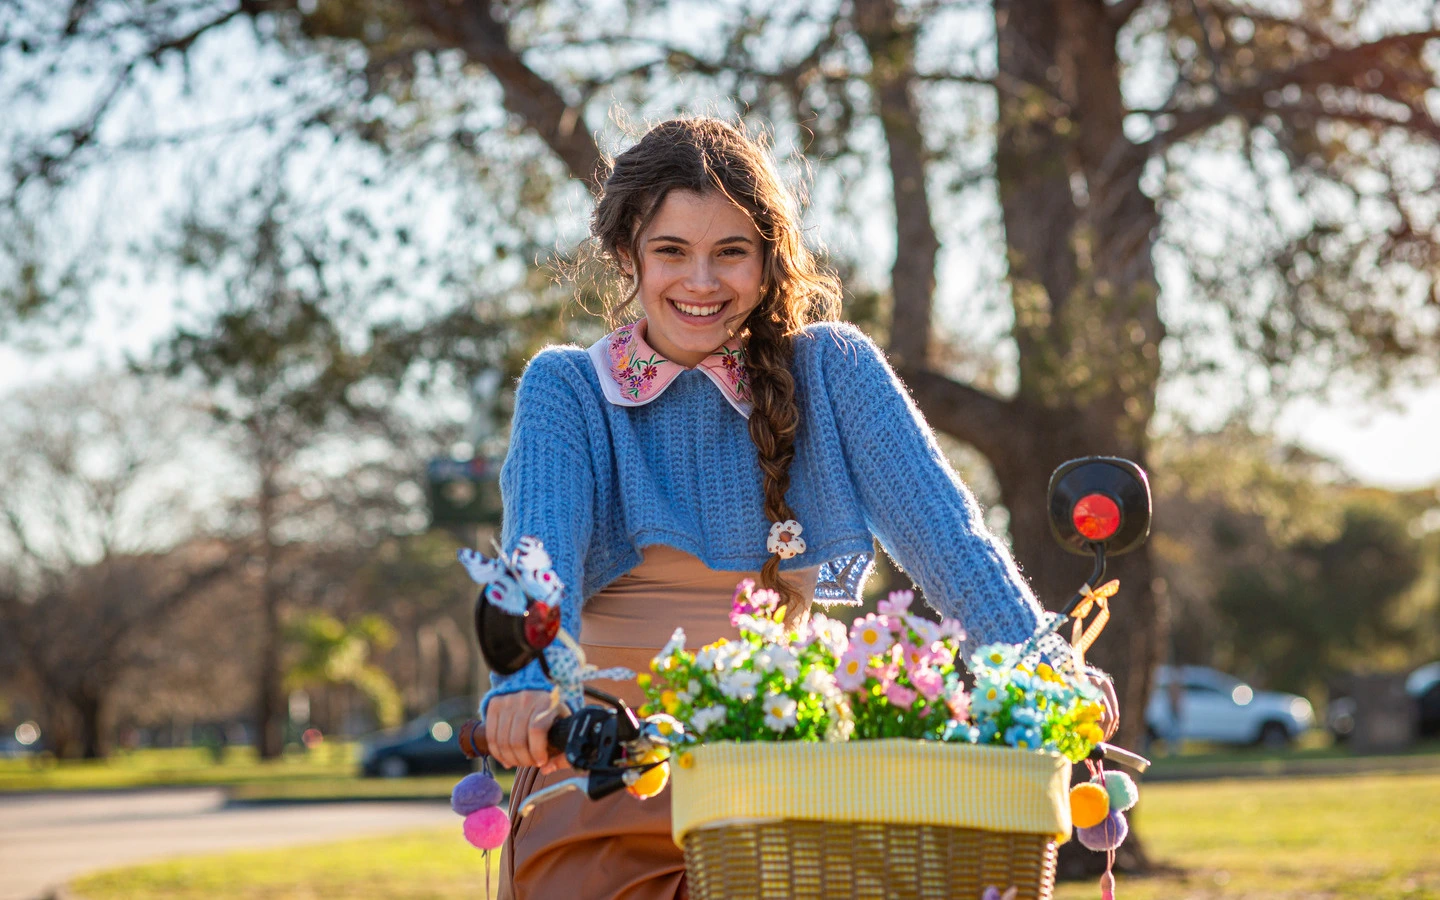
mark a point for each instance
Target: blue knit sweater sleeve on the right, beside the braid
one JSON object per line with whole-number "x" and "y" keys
{"x": 917, "y": 505}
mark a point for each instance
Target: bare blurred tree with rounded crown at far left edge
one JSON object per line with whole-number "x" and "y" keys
{"x": 102, "y": 544}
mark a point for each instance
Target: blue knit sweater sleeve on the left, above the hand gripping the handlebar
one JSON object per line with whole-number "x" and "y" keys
{"x": 548, "y": 487}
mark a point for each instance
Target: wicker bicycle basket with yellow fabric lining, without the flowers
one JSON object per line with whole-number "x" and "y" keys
{"x": 869, "y": 820}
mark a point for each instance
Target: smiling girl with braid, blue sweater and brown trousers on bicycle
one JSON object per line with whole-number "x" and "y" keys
{"x": 734, "y": 431}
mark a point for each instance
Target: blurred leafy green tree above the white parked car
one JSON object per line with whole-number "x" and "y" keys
{"x": 1282, "y": 571}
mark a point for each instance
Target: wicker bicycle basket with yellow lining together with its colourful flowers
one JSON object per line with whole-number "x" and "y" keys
{"x": 865, "y": 751}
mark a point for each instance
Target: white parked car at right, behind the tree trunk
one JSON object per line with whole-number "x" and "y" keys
{"x": 1223, "y": 709}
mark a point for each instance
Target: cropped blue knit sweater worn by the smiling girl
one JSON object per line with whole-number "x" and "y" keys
{"x": 597, "y": 483}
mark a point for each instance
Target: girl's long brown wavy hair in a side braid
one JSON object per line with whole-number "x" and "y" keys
{"x": 706, "y": 155}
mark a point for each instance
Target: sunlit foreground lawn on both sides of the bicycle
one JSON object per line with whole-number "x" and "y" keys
{"x": 1369, "y": 837}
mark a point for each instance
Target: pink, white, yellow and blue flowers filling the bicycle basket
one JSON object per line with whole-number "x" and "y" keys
{"x": 894, "y": 675}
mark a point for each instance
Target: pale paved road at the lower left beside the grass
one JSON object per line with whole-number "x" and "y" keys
{"x": 50, "y": 839}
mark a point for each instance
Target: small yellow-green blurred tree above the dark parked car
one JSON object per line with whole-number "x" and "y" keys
{"x": 332, "y": 653}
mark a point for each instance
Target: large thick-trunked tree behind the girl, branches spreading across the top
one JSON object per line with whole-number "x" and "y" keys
{"x": 1278, "y": 161}
